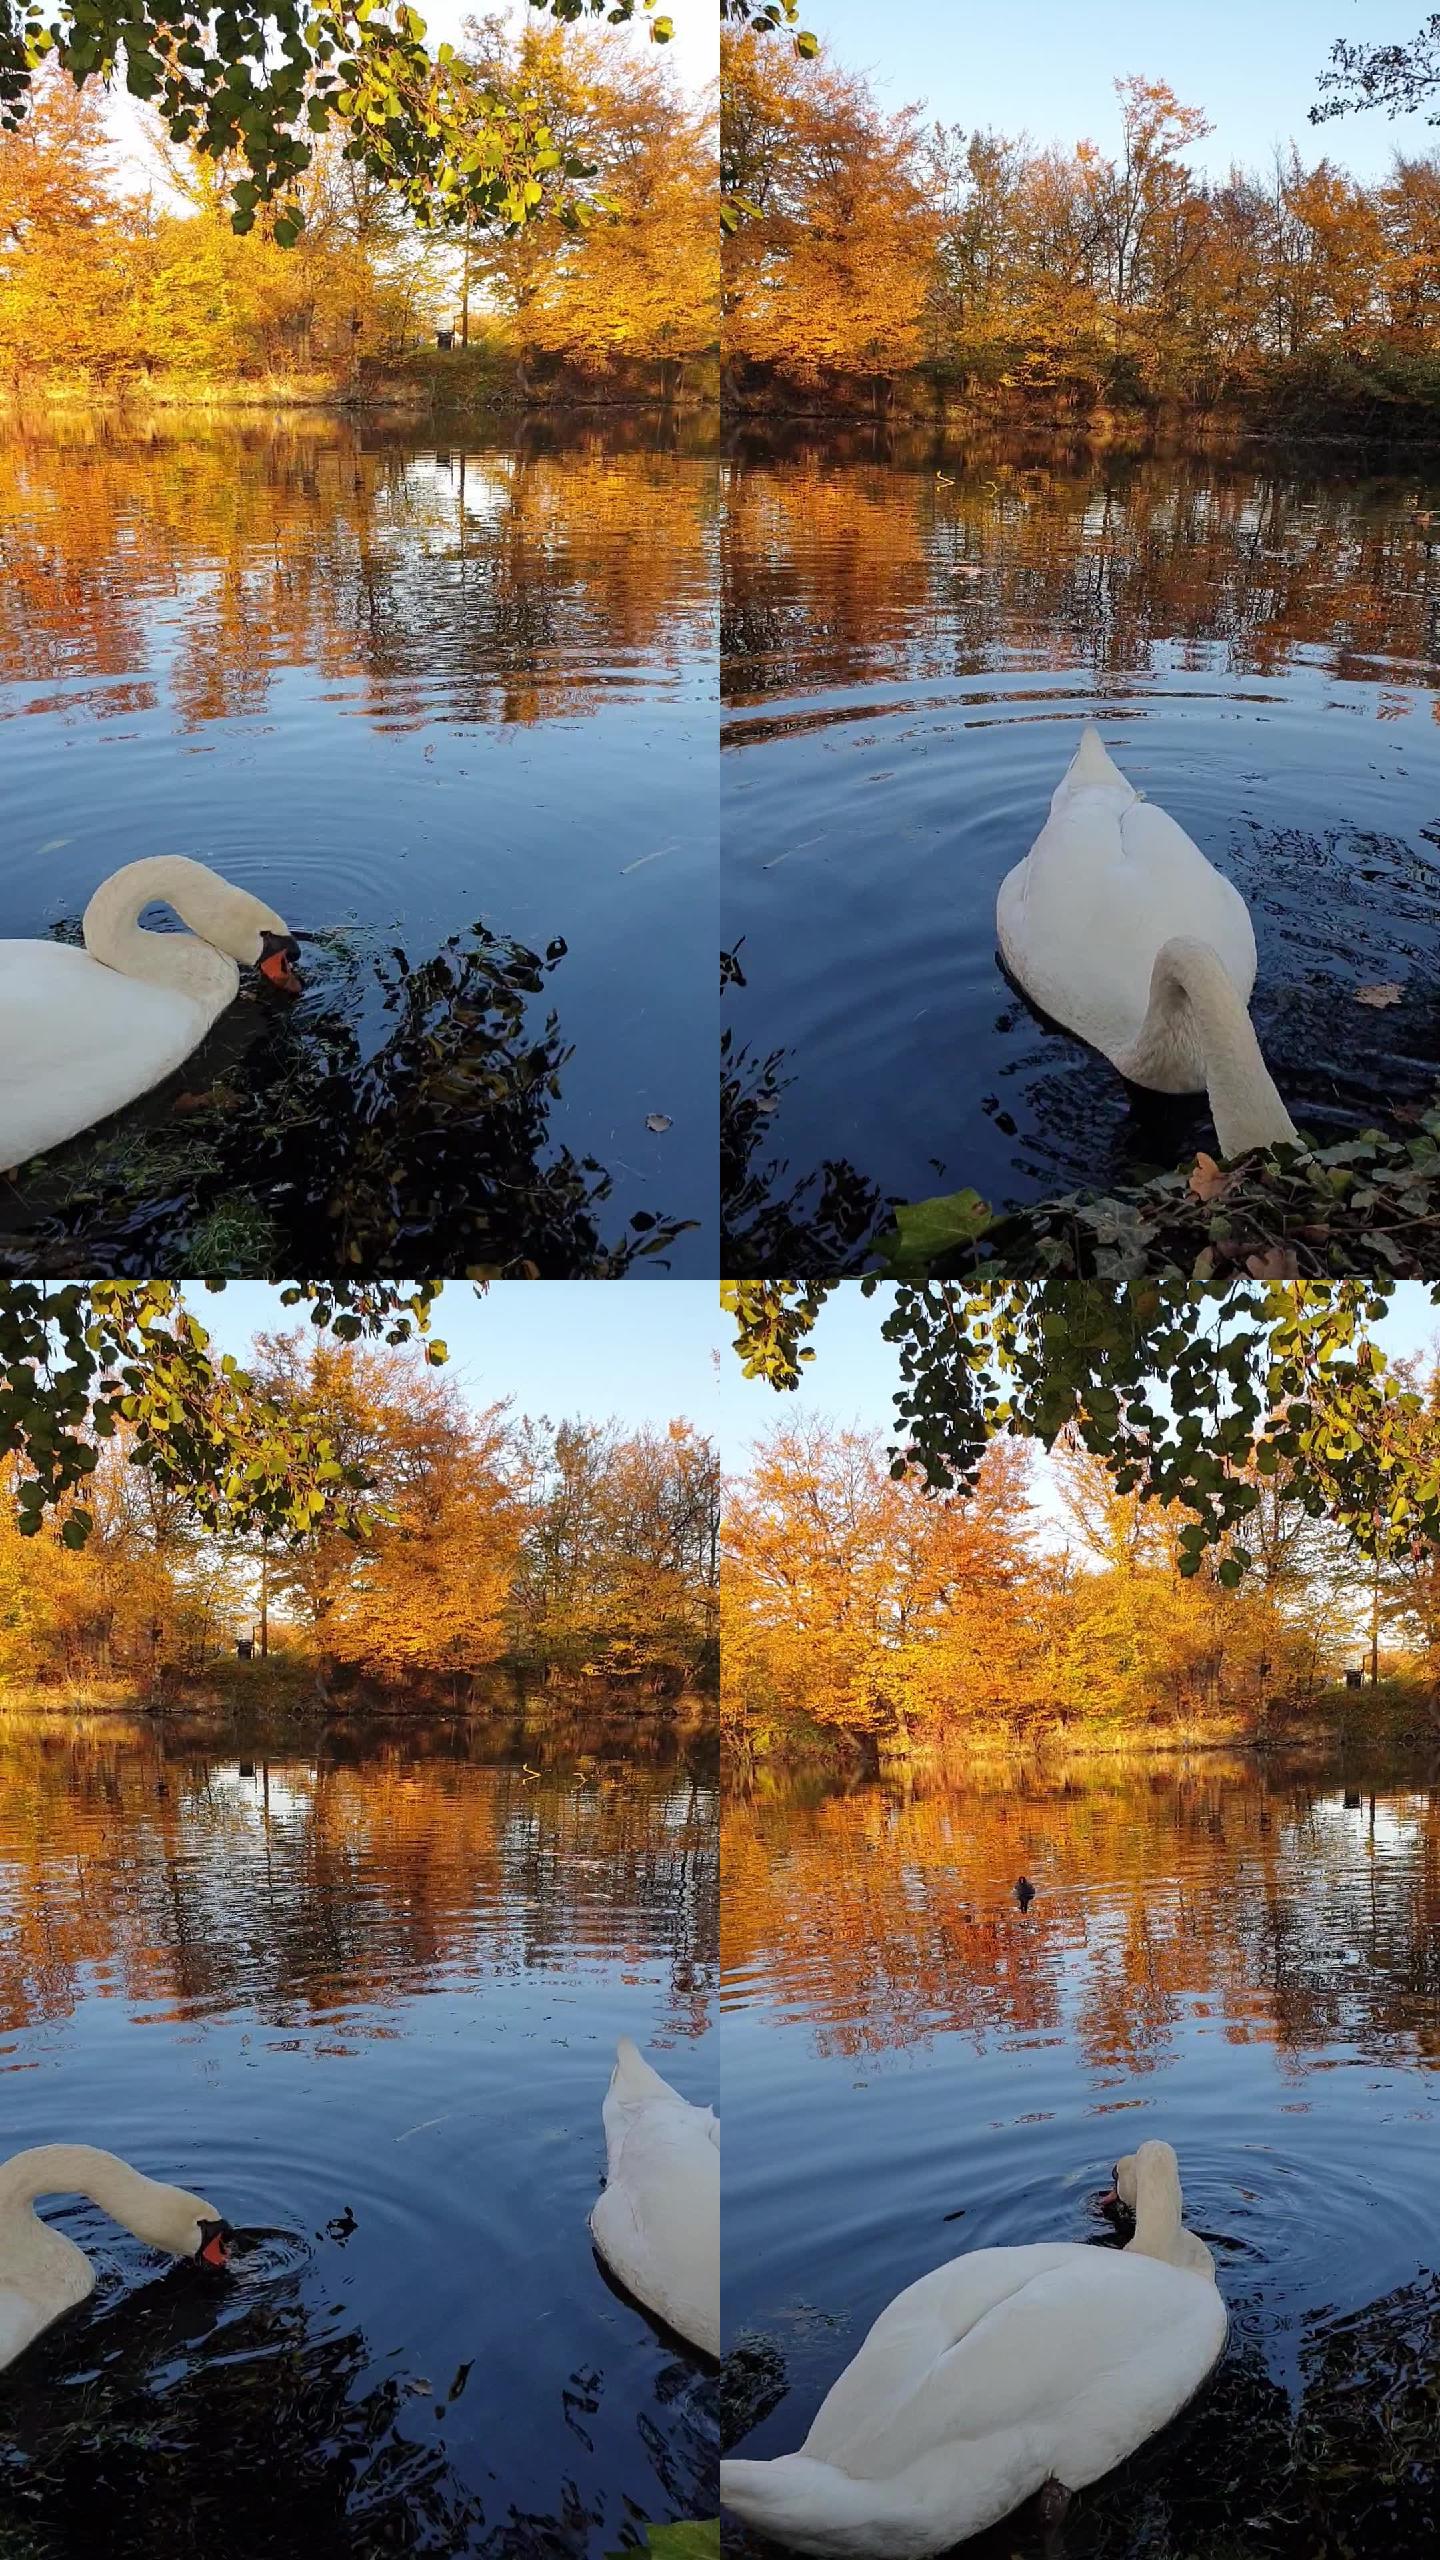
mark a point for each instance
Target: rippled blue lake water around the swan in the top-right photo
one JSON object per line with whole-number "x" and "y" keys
{"x": 911, "y": 652}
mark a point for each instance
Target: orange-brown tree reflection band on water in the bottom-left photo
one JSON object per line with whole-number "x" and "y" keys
{"x": 324, "y": 1893}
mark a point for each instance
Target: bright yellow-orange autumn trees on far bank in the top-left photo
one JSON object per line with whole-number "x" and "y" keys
{"x": 129, "y": 285}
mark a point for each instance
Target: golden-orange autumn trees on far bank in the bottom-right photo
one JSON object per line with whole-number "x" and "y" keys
{"x": 888, "y": 1629}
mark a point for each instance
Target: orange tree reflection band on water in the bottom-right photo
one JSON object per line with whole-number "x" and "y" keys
{"x": 1298, "y": 1919}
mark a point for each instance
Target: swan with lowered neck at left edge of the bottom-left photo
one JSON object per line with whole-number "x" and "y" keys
{"x": 45, "y": 2275}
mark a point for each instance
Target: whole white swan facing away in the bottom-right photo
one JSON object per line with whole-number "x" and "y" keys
{"x": 995, "y": 2377}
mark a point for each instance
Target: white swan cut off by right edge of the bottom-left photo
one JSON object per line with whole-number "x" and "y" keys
{"x": 657, "y": 2226}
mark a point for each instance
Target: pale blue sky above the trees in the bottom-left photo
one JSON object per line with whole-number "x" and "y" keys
{"x": 562, "y": 1348}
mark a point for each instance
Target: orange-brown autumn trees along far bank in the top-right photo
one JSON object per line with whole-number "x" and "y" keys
{"x": 896, "y": 270}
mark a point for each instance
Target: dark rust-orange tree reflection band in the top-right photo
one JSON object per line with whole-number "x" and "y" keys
{"x": 875, "y": 570}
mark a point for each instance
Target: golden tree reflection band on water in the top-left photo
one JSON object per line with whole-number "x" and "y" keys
{"x": 486, "y": 588}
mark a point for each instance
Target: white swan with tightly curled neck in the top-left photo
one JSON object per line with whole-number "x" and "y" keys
{"x": 86, "y": 1033}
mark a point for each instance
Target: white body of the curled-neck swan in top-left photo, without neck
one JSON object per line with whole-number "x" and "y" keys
{"x": 78, "y": 1043}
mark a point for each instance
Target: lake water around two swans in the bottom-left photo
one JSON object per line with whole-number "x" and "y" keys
{"x": 365, "y": 2001}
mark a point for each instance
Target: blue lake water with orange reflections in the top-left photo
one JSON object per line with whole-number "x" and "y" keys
{"x": 396, "y": 687}
